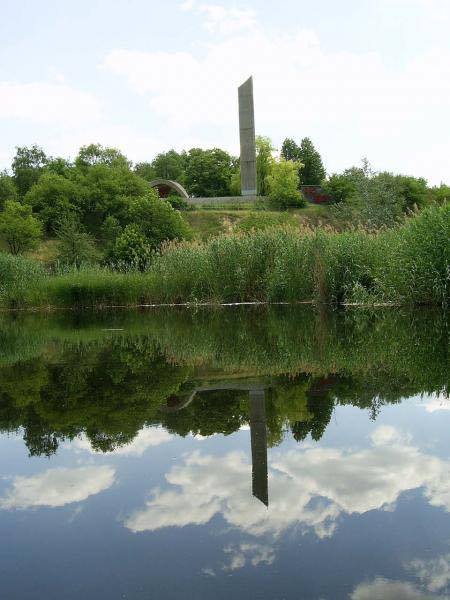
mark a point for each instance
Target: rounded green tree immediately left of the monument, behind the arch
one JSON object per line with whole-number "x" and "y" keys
{"x": 208, "y": 172}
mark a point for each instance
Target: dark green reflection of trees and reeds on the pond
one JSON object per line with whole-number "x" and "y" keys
{"x": 60, "y": 379}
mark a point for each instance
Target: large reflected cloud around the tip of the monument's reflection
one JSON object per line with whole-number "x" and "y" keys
{"x": 309, "y": 487}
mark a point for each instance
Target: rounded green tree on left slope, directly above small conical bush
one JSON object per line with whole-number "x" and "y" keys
{"x": 54, "y": 198}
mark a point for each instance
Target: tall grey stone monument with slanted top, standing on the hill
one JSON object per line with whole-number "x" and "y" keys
{"x": 247, "y": 138}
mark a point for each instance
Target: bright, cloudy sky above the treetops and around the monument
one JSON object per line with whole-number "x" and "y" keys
{"x": 361, "y": 78}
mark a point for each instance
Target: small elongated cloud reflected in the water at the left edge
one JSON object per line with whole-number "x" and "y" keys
{"x": 57, "y": 487}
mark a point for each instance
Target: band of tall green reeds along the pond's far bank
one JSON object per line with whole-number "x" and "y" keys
{"x": 405, "y": 265}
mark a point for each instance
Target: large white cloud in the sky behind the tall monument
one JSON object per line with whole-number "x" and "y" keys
{"x": 351, "y": 103}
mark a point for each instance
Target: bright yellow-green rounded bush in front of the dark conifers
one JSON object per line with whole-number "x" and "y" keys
{"x": 283, "y": 185}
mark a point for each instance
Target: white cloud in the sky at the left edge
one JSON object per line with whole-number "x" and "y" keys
{"x": 47, "y": 103}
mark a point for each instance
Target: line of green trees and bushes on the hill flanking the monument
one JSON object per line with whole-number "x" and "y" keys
{"x": 101, "y": 204}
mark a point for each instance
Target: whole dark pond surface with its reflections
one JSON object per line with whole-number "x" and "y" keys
{"x": 229, "y": 453}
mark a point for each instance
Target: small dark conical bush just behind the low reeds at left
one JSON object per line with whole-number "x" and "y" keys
{"x": 76, "y": 247}
